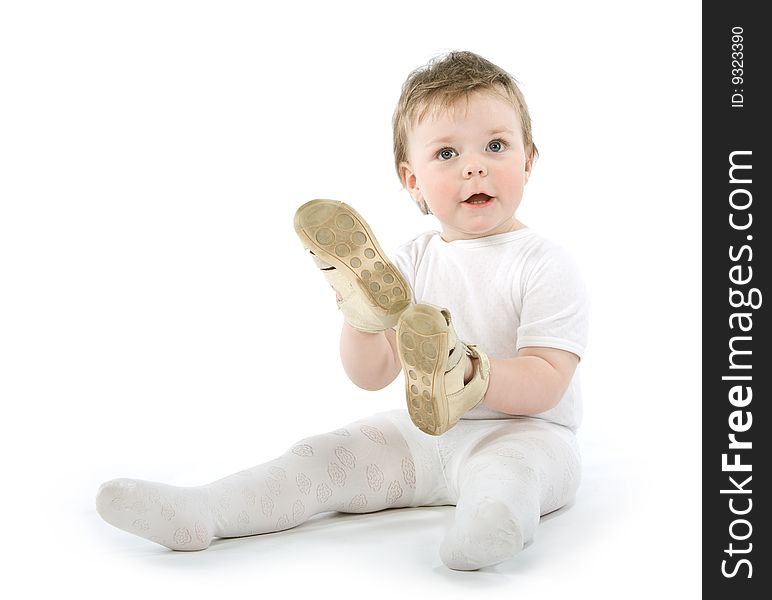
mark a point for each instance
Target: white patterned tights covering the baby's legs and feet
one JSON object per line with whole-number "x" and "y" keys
{"x": 501, "y": 475}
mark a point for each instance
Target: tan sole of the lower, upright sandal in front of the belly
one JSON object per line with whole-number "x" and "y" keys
{"x": 422, "y": 344}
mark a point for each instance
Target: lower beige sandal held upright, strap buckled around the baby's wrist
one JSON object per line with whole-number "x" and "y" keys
{"x": 431, "y": 353}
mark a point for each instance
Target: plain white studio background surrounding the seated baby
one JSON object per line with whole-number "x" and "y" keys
{"x": 159, "y": 319}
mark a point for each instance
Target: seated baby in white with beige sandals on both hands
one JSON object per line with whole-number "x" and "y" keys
{"x": 492, "y": 397}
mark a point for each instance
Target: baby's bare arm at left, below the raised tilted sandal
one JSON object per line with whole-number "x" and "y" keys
{"x": 369, "y": 359}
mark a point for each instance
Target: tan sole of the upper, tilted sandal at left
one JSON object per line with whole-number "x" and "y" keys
{"x": 338, "y": 235}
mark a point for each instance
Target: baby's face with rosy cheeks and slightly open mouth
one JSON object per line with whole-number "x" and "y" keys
{"x": 469, "y": 165}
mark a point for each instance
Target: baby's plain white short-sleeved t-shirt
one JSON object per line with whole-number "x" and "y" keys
{"x": 504, "y": 292}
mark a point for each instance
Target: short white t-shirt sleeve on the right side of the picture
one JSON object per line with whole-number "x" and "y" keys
{"x": 555, "y": 305}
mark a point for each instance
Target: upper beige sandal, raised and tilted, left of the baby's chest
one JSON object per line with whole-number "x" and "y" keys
{"x": 372, "y": 294}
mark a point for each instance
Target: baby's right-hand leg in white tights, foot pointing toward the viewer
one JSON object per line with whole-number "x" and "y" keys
{"x": 519, "y": 471}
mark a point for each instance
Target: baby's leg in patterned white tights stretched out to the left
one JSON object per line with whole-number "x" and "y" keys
{"x": 364, "y": 467}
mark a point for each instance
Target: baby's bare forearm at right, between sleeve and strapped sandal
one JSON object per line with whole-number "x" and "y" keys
{"x": 532, "y": 382}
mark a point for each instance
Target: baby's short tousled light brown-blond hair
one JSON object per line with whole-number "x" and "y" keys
{"x": 444, "y": 81}
